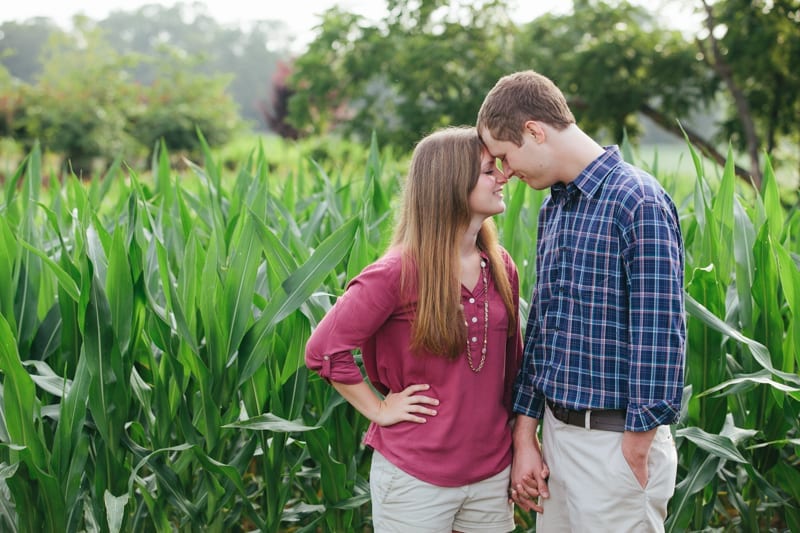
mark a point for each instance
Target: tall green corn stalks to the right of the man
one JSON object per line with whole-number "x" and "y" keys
{"x": 738, "y": 439}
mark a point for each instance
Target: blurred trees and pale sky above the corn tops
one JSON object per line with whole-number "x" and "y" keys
{"x": 95, "y": 81}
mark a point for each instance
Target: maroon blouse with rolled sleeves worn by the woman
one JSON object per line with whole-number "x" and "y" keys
{"x": 469, "y": 439}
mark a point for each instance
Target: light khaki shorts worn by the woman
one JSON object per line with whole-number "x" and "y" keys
{"x": 402, "y": 503}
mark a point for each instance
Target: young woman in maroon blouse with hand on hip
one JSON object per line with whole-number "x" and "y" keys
{"x": 436, "y": 321}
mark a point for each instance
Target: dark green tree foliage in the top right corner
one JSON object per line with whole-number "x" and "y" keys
{"x": 753, "y": 46}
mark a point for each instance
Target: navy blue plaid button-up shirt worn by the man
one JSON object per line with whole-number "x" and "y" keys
{"x": 606, "y": 328}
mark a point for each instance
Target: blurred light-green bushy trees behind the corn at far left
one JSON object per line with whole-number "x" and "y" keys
{"x": 71, "y": 113}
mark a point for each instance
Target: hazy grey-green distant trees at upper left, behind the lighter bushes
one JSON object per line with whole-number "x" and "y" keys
{"x": 246, "y": 55}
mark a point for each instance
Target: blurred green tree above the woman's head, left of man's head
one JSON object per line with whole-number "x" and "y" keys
{"x": 424, "y": 65}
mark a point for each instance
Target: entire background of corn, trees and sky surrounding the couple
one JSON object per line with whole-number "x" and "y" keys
{"x": 187, "y": 187}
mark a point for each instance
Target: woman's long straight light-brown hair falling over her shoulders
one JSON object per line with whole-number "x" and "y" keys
{"x": 435, "y": 212}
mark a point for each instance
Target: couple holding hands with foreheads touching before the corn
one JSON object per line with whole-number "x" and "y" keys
{"x": 455, "y": 424}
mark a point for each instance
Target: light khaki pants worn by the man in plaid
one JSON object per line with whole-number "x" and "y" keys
{"x": 592, "y": 488}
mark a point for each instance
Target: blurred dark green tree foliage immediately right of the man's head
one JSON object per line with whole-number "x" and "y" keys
{"x": 611, "y": 62}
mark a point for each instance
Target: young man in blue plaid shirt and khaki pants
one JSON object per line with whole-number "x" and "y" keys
{"x": 605, "y": 339}
